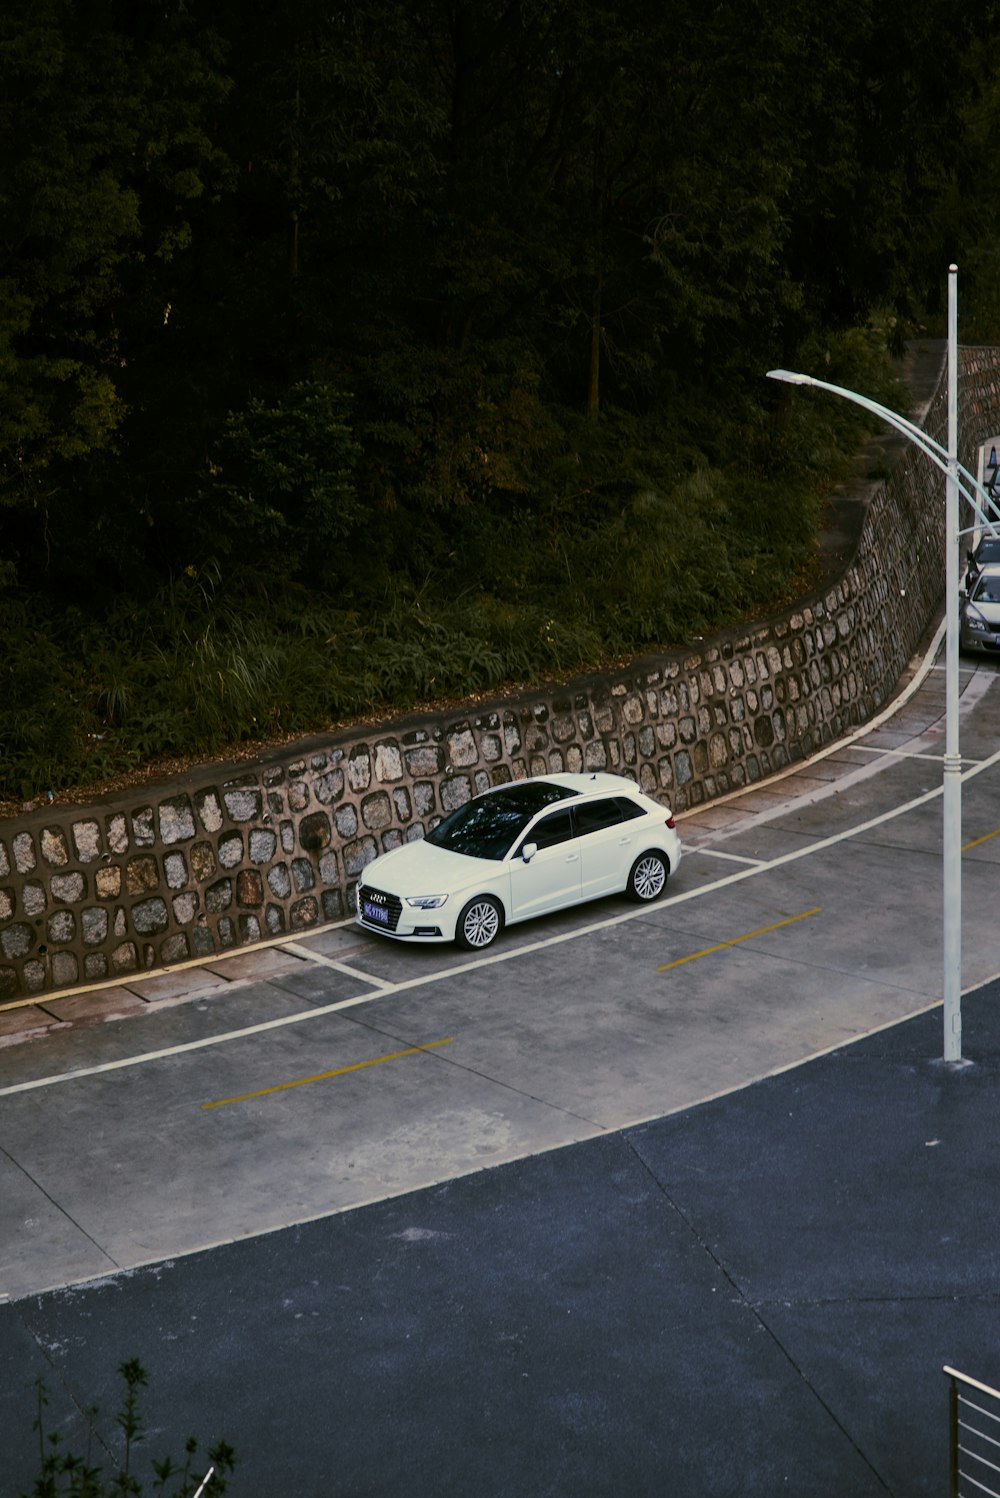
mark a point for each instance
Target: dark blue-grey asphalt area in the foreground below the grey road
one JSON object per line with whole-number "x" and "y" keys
{"x": 751, "y": 1298}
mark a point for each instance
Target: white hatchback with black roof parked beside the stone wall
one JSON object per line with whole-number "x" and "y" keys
{"x": 517, "y": 852}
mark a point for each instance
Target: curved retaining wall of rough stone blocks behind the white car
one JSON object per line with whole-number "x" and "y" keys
{"x": 233, "y": 856}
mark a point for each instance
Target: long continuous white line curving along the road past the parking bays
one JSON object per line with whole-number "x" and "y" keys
{"x": 508, "y": 955}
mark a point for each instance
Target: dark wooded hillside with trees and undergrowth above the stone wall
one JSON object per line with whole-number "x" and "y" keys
{"x": 365, "y": 356}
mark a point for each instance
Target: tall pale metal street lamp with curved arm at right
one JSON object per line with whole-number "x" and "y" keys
{"x": 980, "y": 501}
